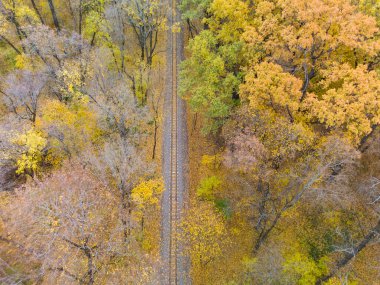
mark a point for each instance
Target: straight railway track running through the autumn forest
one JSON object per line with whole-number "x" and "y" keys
{"x": 173, "y": 246}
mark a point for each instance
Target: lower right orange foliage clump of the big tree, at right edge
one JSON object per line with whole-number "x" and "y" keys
{"x": 351, "y": 102}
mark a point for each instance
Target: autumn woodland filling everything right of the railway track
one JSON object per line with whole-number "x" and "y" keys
{"x": 299, "y": 122}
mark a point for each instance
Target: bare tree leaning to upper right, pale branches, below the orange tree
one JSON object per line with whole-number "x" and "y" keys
{"x": 319, "y": 168}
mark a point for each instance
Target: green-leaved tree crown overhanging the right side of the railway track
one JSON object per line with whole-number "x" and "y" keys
{"x": 207, "y": 83}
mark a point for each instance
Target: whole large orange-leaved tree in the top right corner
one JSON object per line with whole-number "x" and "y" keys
{"x": 316, "y": 47}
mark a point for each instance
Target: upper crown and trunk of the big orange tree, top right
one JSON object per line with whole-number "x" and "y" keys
{"x": 302, "y": 35}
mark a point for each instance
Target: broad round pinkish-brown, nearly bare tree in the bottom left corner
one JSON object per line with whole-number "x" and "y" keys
{"x": 61, "y": 223}
